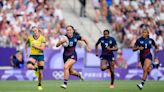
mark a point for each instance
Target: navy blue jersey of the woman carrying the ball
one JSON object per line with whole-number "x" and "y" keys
{"x": 70, "y": 49}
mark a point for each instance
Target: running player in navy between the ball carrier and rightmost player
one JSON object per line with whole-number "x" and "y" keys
{"x": 108, "y": 45}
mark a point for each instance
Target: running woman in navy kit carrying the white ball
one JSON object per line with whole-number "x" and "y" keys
{"x": 69, "y": 55}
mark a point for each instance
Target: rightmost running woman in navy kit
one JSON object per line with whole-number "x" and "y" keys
{"x": 144, "y": 44}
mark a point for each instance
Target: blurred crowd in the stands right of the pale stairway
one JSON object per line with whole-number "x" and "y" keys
{"x": 128, "y": 18}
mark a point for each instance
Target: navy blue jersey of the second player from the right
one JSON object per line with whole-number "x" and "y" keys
{"x": 109, "y": 42}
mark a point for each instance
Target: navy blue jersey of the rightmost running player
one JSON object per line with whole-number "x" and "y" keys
{"x": 147, "y": 44}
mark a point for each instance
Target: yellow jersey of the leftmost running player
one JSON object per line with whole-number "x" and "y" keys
{"x": 37, "y": 42}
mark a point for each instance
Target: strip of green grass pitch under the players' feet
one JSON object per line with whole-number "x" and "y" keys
{"x": 77, "y": 86}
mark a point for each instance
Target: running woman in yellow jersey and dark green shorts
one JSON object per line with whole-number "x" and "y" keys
{"x": 36, "y": 58}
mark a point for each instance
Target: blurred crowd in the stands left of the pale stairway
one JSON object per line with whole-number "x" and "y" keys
{"x": 17, "y": 17}
